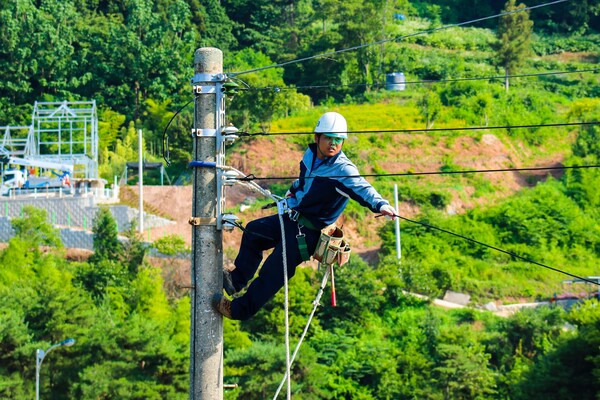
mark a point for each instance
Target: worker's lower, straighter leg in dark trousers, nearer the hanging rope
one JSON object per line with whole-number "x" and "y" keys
{"x": 270, "y": 277}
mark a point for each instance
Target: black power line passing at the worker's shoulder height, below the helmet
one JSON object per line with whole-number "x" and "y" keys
{"x": 252, "y": 177}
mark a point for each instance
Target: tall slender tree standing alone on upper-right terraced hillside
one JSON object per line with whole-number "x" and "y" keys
{"x": 514, "y": 35}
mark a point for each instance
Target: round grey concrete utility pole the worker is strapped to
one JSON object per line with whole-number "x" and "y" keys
{"x": 206, "y": 357}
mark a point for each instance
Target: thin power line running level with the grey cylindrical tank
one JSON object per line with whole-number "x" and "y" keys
{"x": 425, "y": 81}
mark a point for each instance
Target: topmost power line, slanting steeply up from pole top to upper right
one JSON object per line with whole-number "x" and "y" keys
{"x": 395, "y": 38}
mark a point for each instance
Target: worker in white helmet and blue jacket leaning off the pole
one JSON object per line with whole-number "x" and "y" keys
{"x": 314, "y": 203}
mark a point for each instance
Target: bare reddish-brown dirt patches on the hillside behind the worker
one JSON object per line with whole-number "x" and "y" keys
{"x": 276, "y": 157}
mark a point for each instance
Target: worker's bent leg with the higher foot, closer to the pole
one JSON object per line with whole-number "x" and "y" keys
{"x": 260, "y": 235}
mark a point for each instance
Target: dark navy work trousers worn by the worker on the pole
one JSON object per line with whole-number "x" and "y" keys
{"x": 260, "y": 235}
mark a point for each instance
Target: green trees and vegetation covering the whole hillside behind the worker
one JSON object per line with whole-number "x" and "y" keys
{"x": 135, "y": 58}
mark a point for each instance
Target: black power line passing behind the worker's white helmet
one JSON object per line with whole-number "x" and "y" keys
{"x": 411, "y": 130}
